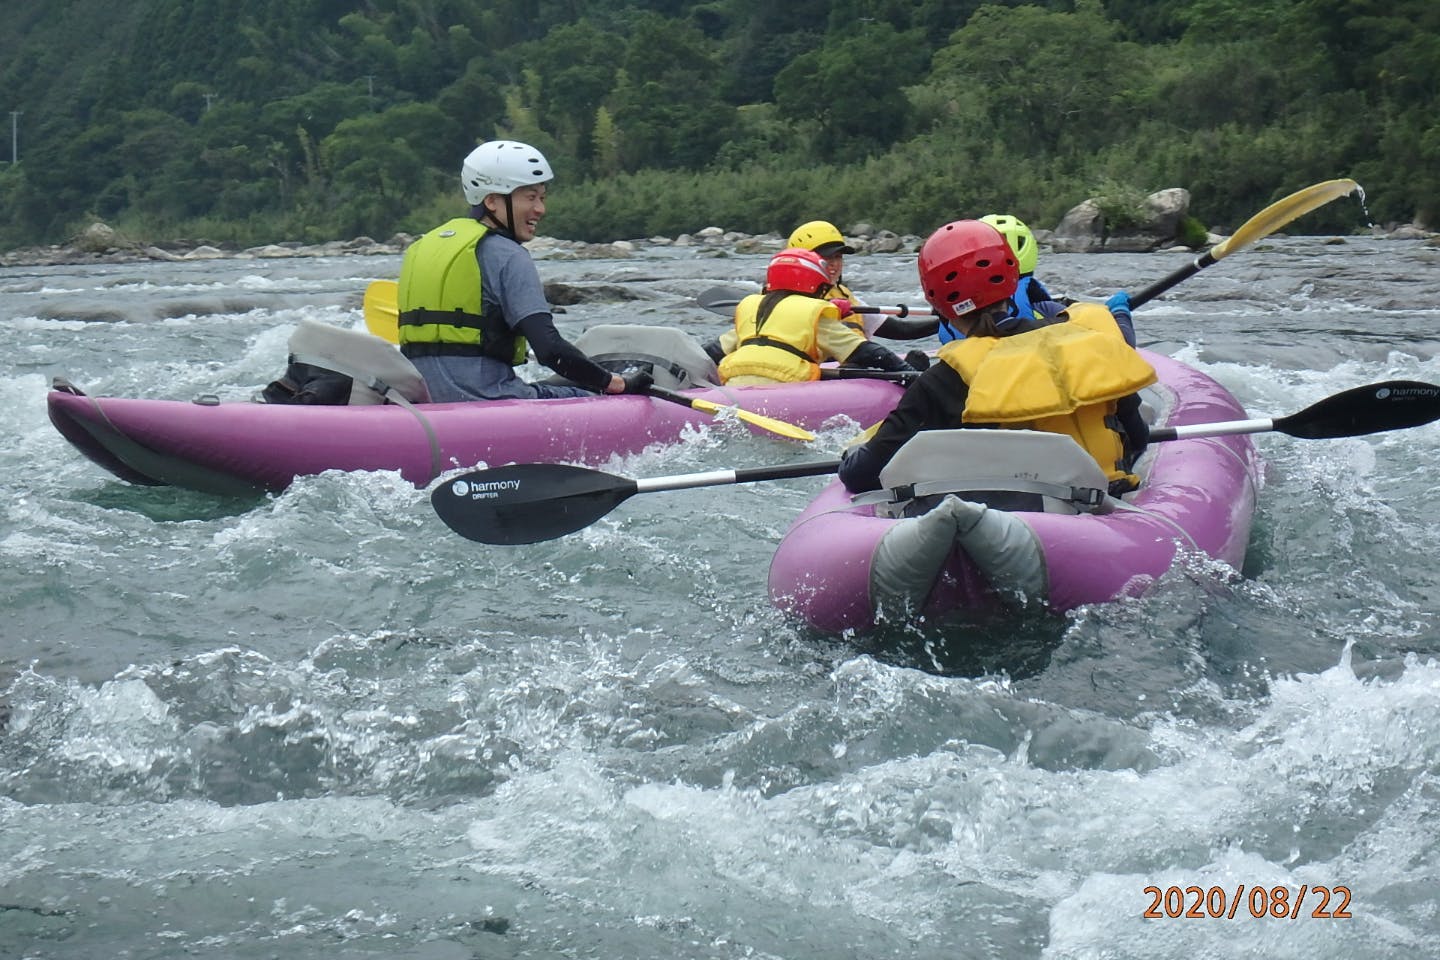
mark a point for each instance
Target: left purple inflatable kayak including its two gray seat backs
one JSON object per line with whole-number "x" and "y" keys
{"x": 243, "y": 450}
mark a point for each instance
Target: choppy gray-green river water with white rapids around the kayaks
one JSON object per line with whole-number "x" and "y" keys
{"x": 319, "y": 725}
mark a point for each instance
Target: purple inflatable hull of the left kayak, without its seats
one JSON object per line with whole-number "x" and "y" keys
{"x": 247, "y": 448}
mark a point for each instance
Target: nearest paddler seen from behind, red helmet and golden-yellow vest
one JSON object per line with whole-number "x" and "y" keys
{"x": 1072, "y": 375}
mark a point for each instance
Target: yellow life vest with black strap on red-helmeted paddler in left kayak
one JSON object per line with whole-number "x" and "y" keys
{"x": 780, "y": 346}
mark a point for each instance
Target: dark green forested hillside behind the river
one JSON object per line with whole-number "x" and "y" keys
{"x": 247, "y": 122}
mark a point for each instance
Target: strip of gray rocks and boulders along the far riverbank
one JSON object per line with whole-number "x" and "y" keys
{"x": 1082, "y": 231}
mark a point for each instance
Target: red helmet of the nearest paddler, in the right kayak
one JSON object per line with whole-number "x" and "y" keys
{"x": 967, "y": 266}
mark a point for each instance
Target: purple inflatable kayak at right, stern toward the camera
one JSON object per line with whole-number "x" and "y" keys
{"x": 845, "y": 566}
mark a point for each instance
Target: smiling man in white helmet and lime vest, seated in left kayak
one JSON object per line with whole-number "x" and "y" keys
{"x": 472, "y": 300}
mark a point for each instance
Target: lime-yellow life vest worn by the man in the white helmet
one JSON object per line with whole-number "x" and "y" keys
{"x": 440, "y": 299}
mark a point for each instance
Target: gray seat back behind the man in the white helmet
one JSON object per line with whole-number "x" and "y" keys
{"x": 379, "y": 371}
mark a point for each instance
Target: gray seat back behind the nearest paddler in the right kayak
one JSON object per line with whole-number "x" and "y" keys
{"x": 1049, "y": 471}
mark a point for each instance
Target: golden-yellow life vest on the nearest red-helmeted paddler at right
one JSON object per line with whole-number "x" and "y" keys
{"x": 1063, "y": 379}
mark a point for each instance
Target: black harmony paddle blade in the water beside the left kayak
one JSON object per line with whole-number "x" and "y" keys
{"x": 528, "y": 503}
